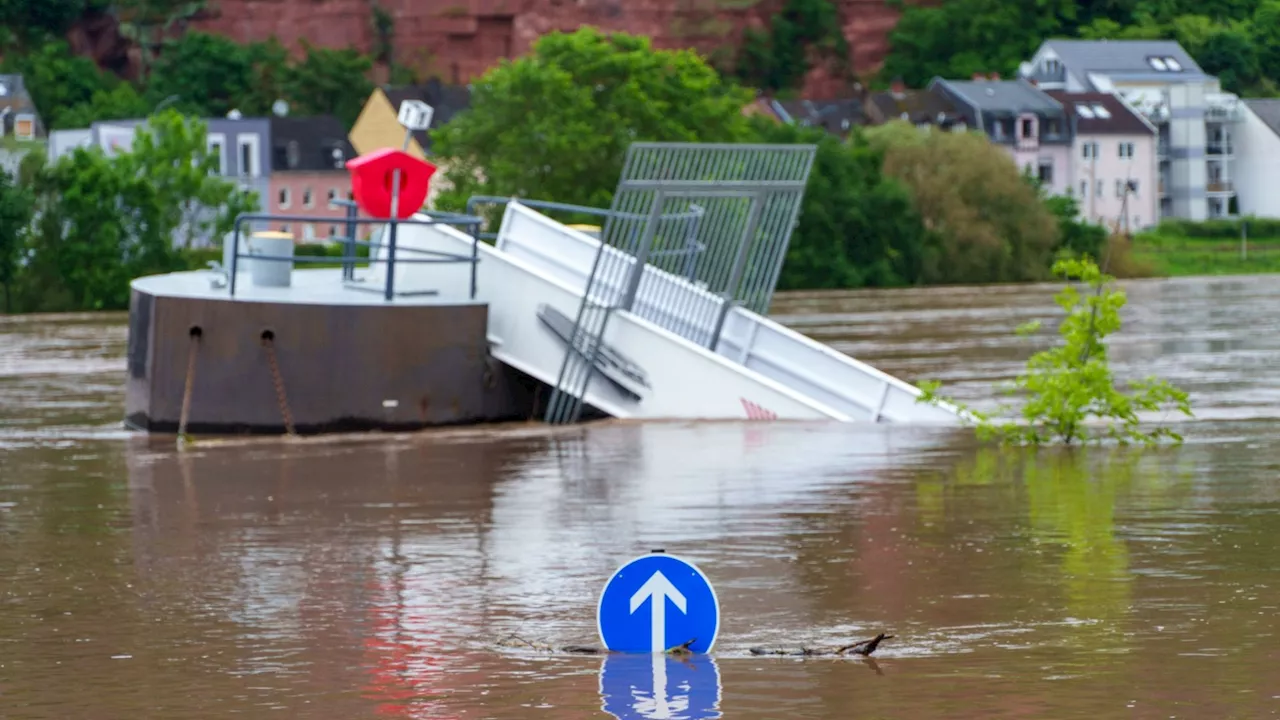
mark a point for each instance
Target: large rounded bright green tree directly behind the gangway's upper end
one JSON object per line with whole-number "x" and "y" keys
{"x": 557, "y": 122}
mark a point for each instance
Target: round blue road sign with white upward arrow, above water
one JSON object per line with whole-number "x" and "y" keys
{"x": 656, "y": 603}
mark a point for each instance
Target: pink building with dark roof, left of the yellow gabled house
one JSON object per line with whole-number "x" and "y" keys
{"x": 309, "y": 170}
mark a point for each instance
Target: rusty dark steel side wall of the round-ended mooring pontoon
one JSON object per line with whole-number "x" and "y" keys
{"x": 340, "y": 366}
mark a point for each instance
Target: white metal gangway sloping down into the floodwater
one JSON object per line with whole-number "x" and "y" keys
{"x": 652, "y": 363}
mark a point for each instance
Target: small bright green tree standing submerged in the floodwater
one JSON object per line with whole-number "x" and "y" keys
{"x": 1071, "y": 388}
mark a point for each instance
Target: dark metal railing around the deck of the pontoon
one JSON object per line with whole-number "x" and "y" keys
{"x": 350, "y": 257}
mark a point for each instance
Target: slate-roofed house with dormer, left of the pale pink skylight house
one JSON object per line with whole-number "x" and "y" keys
{"x": 1031, "y": 126}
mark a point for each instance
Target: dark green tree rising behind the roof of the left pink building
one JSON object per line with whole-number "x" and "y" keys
{"x": 333, "y": 83}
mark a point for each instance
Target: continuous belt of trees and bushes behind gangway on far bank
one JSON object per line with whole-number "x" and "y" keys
{"x": 892, "y": 207}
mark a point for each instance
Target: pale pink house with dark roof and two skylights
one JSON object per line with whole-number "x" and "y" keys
{"x": 1114, "y": 165}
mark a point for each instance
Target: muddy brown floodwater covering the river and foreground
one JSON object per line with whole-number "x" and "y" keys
{"x": 373, "y": 576}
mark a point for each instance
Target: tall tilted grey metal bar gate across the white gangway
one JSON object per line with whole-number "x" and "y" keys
{"x": 749, "y": 199}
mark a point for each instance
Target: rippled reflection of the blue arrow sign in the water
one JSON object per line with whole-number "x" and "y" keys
{"x": 661, "y": 687}
